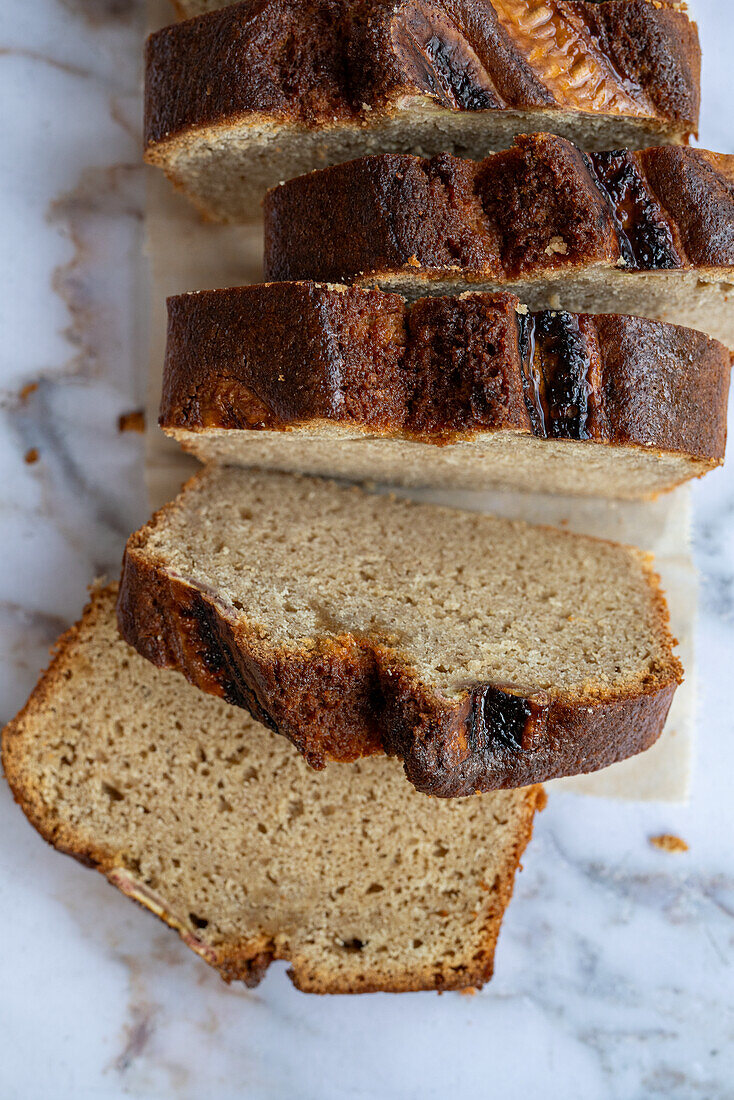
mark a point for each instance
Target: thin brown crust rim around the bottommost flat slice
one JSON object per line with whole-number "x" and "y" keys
{"x": 249, "y": 961}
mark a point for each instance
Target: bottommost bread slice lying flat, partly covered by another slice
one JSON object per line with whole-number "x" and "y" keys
{"x": 223, "y": 831}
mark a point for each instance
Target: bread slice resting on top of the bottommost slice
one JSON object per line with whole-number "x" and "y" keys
{"x": 486, "y": 654}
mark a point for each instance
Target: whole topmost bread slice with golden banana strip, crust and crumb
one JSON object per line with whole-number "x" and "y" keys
{"x": 254, "y": 94}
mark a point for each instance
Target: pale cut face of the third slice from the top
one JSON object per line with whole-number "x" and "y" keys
{"x": 500, "y": 460}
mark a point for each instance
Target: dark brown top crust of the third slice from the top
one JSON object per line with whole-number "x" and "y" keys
{"x": 276, "y": 356}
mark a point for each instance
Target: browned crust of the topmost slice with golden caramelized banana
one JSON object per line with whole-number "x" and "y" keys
{"x": 320, "y": 62}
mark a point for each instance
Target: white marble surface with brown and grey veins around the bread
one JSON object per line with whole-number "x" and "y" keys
{"x": 615, "y": 974}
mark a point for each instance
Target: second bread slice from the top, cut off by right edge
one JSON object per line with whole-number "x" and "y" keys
{"x": 650, "y": 234}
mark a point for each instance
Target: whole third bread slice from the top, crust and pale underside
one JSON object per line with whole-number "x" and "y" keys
{"x": 465, "y": 392}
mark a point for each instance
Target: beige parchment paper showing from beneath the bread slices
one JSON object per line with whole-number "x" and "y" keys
{"x": 187, "y": 254}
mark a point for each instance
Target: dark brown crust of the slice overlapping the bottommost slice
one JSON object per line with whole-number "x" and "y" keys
{"x": 348, "y": 697}
